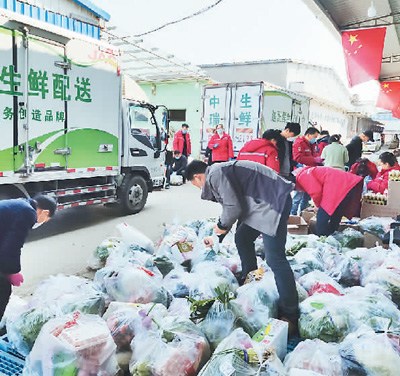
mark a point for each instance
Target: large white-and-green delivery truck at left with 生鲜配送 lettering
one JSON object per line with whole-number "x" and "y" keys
{"x": 68, "y": 126}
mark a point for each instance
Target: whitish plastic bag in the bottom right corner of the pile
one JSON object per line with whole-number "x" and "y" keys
{"x": 365, "y": 352}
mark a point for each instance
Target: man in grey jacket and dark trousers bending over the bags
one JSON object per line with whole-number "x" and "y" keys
{"x": 258, "y": 199}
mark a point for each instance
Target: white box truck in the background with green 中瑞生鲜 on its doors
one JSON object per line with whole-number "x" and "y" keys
{"x": 246, "y": 109}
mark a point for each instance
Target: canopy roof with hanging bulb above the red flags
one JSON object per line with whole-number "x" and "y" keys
{"x": 340, "y": 15}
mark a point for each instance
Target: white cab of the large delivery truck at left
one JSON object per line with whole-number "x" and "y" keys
{"x": 145, "y": 147}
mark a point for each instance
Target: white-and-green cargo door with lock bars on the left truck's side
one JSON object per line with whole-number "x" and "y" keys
{"x": 42, "y": 107}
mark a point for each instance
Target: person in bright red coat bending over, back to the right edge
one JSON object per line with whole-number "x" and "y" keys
{"x": 336, "y": 193}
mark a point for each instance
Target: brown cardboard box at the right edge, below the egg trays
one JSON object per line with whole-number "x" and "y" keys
{"x": 392, "y": 209}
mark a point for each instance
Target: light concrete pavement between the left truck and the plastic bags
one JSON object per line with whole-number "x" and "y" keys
{"x": 65, "y": 244}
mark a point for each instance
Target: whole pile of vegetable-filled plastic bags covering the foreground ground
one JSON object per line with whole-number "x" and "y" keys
{"x": 176, "y": 308}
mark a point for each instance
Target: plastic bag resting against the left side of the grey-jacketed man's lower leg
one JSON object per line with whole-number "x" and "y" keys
{"x": 255, "y": 303}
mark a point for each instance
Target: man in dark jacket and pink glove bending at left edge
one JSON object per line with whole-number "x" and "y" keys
{"x": 17, "y": 217}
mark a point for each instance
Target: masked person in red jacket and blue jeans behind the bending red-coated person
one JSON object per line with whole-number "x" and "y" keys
{"x": 305, "y": 152}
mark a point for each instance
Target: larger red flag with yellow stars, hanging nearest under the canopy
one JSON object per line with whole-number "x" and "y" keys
{"x": 363, "y": 50}
